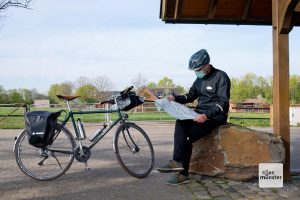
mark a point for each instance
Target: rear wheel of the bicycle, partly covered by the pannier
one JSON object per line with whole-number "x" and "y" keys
{"x": 33, "y": 162}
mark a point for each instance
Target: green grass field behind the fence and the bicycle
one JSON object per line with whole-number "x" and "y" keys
{"x": 243, "y": 119}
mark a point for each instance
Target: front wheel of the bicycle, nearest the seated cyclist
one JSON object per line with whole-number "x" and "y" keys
{"x": 134, "y": 150}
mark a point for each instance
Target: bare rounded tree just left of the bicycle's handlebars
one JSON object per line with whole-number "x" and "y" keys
{"x": 103, "y": 86}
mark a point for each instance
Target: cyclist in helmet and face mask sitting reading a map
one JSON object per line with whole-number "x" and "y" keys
{"x": 212, "y": 89}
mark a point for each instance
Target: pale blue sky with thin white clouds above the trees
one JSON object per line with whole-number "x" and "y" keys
{"x": 60, "y": 40}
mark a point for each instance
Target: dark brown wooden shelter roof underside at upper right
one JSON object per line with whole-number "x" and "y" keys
{"x": 240, "y": 12}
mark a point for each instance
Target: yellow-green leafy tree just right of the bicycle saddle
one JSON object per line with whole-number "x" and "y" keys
{"x": 87, "y": 93}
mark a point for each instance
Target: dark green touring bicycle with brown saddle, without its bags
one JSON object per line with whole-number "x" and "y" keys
{"x": 132, "y": 146}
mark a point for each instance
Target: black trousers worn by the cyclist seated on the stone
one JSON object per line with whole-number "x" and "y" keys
{"x": 187, "y": 132}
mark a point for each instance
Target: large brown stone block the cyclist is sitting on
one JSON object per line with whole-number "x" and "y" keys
{"x": 235, "y": 152}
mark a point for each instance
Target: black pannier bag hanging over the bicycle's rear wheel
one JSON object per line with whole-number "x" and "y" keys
{"x": 40, "y": 126}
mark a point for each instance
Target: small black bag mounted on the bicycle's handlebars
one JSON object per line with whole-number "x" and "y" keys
{"x": 130, "y": 101}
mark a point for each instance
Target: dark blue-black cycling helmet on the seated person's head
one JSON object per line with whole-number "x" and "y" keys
{"x": 199, "y": 59}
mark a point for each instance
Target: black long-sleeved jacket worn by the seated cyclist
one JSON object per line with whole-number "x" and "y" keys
{"x": 213, "y": 93}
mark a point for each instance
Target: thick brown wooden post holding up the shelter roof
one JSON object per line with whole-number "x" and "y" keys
{"x": 281, "y": 85}
